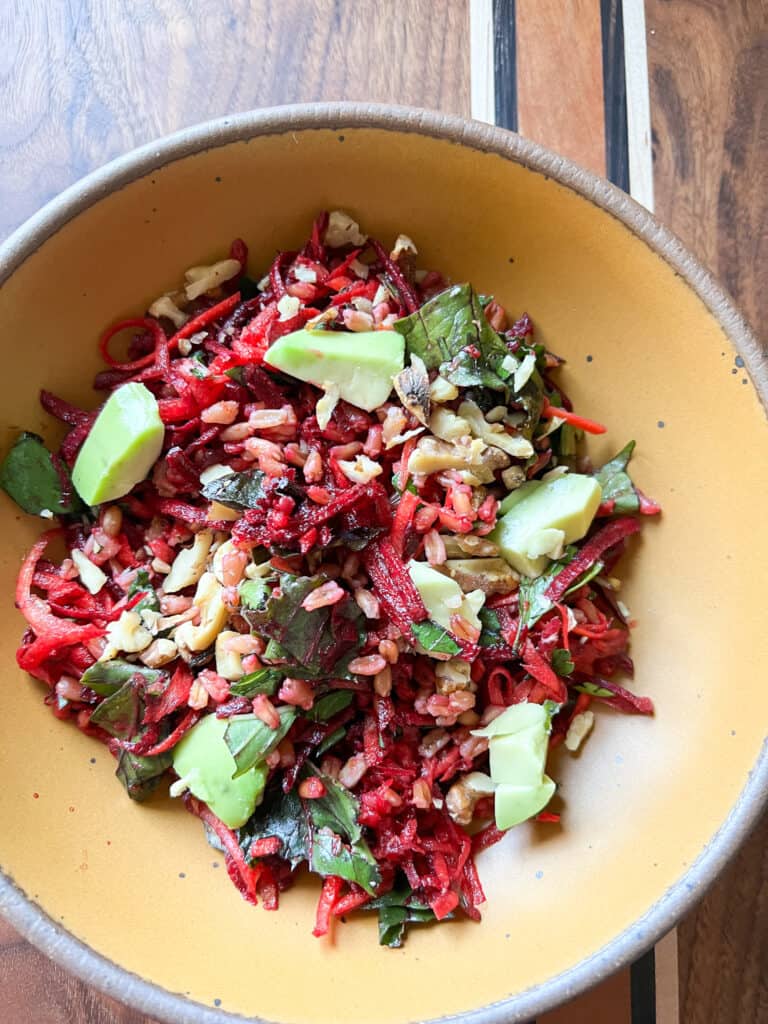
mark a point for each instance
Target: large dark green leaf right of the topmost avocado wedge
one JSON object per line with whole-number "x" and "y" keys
{"x": 441, "y": 331}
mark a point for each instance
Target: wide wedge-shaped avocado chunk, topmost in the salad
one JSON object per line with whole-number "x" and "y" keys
{"x": 362, "y": 365}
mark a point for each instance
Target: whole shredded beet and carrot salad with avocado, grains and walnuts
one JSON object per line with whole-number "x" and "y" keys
{"x": 333, "y": 564}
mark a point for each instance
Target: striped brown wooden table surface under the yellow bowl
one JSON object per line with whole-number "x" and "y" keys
{"x": 87, "y": 80}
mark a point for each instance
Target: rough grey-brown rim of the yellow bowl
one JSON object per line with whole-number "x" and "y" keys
{"x": 96, "y": 969}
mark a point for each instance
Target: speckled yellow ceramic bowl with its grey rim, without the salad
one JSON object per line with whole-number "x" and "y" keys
{"x": 131, "y": 898}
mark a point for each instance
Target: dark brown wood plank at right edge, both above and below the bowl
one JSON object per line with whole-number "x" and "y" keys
{"x": 709, "y": 92}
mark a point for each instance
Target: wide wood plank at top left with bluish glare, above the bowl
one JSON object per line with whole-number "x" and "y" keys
{"x": 94, "y": 78}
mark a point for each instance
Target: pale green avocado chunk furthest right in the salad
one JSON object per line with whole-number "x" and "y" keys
{"x": 542, "y": 517}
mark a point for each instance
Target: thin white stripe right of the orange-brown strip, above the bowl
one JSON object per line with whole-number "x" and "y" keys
{"x": 638, "y": 103}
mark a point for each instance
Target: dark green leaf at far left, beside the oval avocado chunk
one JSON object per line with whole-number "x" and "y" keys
{"x": 29, "y": 476}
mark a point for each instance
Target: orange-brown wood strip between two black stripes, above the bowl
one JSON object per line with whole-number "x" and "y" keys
{"x": 561, "y": 78}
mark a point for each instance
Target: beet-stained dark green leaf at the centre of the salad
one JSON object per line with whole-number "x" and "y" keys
{"x": 317, "y": 644}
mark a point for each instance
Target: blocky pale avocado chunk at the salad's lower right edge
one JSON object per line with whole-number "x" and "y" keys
{"x": 518, "y": 749}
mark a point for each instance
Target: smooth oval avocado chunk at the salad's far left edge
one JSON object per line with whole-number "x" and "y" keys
{"x": 122, "y": 447}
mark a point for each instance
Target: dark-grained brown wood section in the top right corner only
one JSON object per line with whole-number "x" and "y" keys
{"x": 709, "y": 84}
